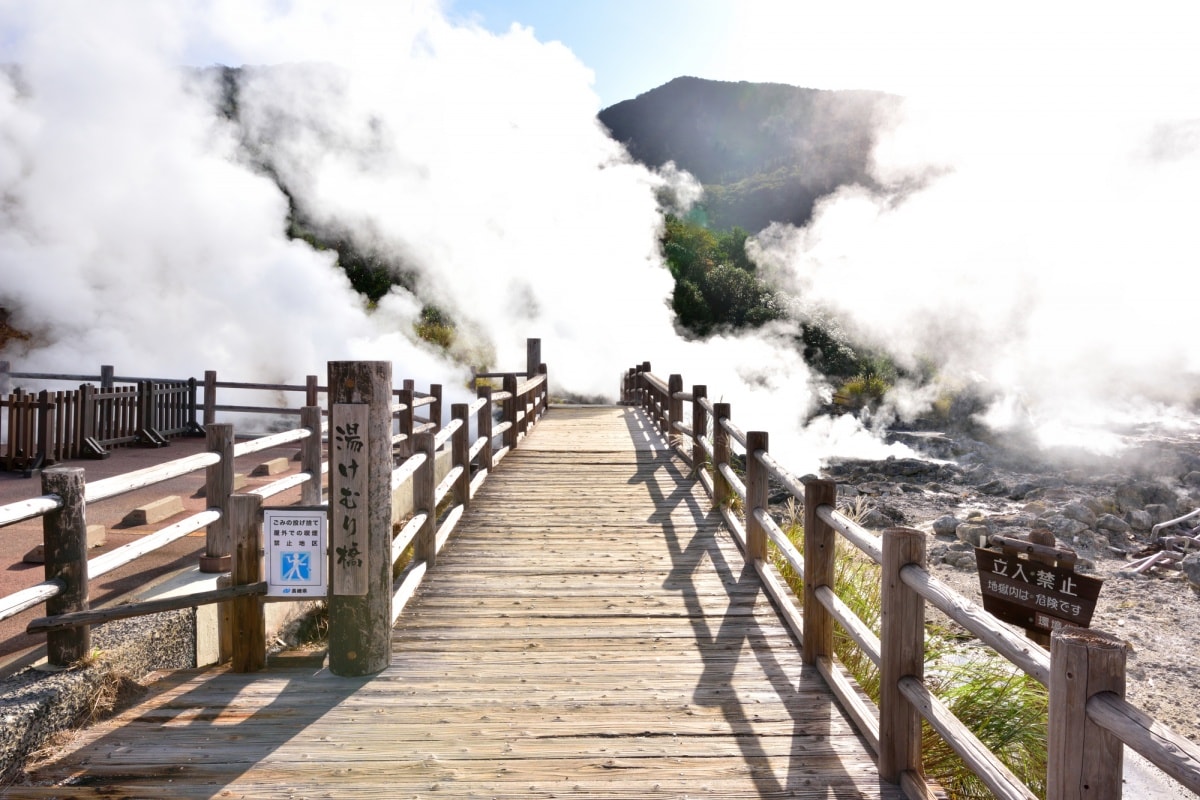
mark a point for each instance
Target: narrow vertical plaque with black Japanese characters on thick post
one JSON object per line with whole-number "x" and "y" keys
{"x": 349, "y": 500}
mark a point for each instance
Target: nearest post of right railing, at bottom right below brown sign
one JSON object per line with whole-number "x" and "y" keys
{"x": 1083, "y": 760}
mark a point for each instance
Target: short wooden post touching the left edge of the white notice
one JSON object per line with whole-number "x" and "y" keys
{"x": 248, "y": 623}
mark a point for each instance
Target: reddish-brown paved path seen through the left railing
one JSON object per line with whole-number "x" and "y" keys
{"x": 16, "y": 542}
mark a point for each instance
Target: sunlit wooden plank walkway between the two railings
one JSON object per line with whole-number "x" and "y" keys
{"x": 589, "y": 631}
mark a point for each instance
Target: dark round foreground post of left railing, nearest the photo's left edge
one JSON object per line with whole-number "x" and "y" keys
{"x": 65, "y": 538}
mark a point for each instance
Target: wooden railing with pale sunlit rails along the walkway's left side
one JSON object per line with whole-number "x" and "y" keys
{"x": 233, "y": 522}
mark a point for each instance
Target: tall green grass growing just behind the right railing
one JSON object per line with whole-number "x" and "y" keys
{"x": 1001, "y": 706}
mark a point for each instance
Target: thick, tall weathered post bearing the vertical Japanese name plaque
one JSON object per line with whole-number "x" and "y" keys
{"x": 359, "y": 518}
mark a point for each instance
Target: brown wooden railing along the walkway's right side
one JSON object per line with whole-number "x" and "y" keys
{"x": 1084, "y": 671}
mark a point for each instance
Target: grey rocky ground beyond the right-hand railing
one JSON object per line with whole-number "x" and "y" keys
{"x": 1105, "y": 509}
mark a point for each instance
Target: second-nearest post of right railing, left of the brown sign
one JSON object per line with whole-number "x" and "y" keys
{"x": 903, "y": 645}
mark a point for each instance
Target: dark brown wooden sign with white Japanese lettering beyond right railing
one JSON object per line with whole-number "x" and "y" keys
{"x": 1034, "y": 596}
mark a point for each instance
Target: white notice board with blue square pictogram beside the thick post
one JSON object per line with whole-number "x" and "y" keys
{"x": 295, "y": 540}
